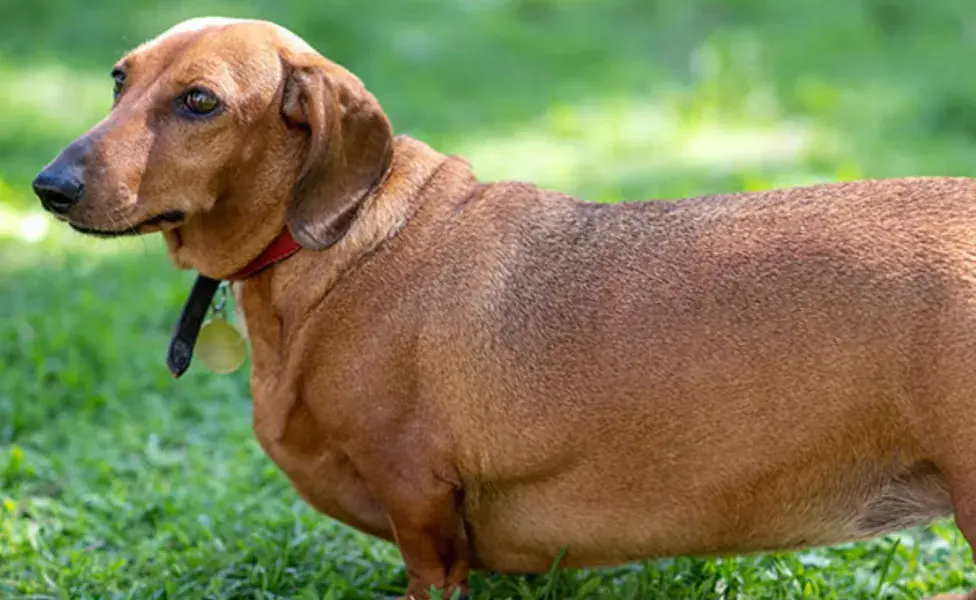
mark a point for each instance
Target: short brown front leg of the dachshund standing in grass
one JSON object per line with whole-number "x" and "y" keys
{"x": 424, "y": 511}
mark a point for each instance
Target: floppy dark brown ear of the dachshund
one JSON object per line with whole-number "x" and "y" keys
{"x": 350, "y": 149}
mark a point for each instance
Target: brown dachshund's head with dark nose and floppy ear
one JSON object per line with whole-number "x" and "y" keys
{"x": 221, "y": 133}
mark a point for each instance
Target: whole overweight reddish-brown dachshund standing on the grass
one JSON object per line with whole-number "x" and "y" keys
{"x": 487, "y": 374}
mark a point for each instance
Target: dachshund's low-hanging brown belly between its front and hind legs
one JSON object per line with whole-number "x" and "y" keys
{"x": 524, "y": 529}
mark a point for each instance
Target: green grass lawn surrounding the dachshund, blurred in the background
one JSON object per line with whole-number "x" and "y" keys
{"x": 116, "y": 482}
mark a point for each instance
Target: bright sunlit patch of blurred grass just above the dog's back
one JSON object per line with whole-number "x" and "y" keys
{"x": 576, "y": 147}
